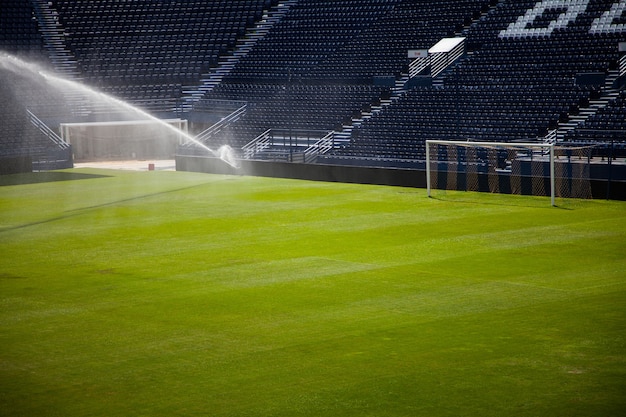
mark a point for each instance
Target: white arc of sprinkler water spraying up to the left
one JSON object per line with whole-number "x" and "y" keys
{"x": 18, "y": 65}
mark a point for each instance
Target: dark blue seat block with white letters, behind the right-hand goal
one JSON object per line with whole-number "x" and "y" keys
{"x": 510, "y": 88}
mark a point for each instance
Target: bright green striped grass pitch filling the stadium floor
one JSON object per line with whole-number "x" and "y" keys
{"x": 187, "y": 294}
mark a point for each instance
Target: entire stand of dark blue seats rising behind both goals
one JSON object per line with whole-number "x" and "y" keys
{"x": 342, "y": 66}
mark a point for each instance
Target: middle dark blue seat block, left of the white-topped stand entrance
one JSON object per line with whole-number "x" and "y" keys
{"x": 315, "y": 52}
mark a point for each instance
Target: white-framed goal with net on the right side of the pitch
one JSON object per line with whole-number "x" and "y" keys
{"x": 540, "y": 169}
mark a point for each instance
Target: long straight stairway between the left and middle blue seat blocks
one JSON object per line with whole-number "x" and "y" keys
{"x": 193, "y": 94}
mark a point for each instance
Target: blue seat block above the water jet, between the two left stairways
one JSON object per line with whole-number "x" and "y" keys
{"x": 146, "y": 51}
